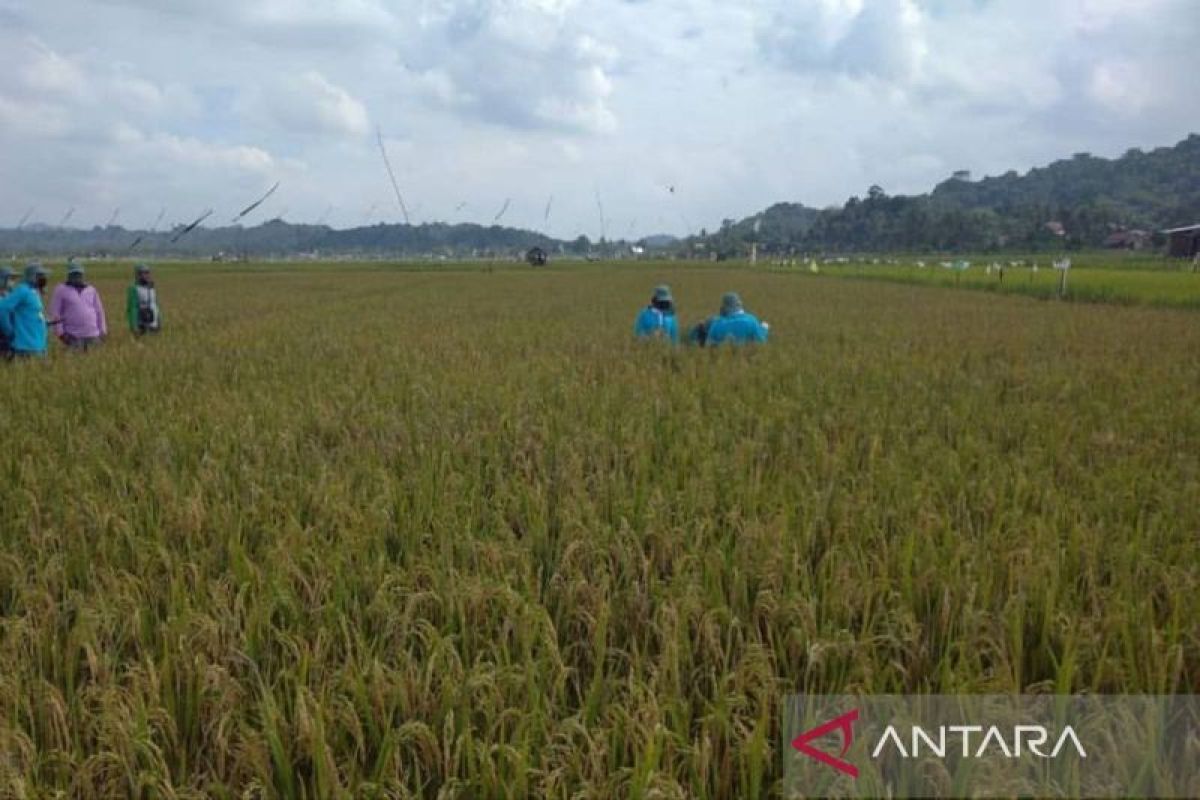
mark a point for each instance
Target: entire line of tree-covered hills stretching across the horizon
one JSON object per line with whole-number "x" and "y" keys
{"x": 1079, "y": 202}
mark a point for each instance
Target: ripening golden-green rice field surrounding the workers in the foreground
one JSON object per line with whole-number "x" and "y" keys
{"x": 351, "y": 533}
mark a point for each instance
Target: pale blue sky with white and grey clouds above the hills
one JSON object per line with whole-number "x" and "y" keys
{"x": 188, "y": 105}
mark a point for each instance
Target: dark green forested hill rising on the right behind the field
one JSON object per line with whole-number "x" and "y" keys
{"x": 1075, "y": 203}
